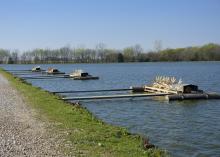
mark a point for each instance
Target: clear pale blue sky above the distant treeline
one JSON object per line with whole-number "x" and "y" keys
{"x": 28, "y": 24}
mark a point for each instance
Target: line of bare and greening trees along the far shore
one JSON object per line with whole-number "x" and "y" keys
{"x": 209, "y": 52}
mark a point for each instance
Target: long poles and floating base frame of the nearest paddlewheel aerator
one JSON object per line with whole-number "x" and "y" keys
{"x": 145, "y": 91}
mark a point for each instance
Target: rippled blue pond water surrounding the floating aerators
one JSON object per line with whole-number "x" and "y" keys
{"x": 183, "y": 128}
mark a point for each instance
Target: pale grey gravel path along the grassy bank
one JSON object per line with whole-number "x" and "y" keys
{"x": 21, "y": 134}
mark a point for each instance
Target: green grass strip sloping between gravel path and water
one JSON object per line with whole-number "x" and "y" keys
{"x": 90, "y": 136}
